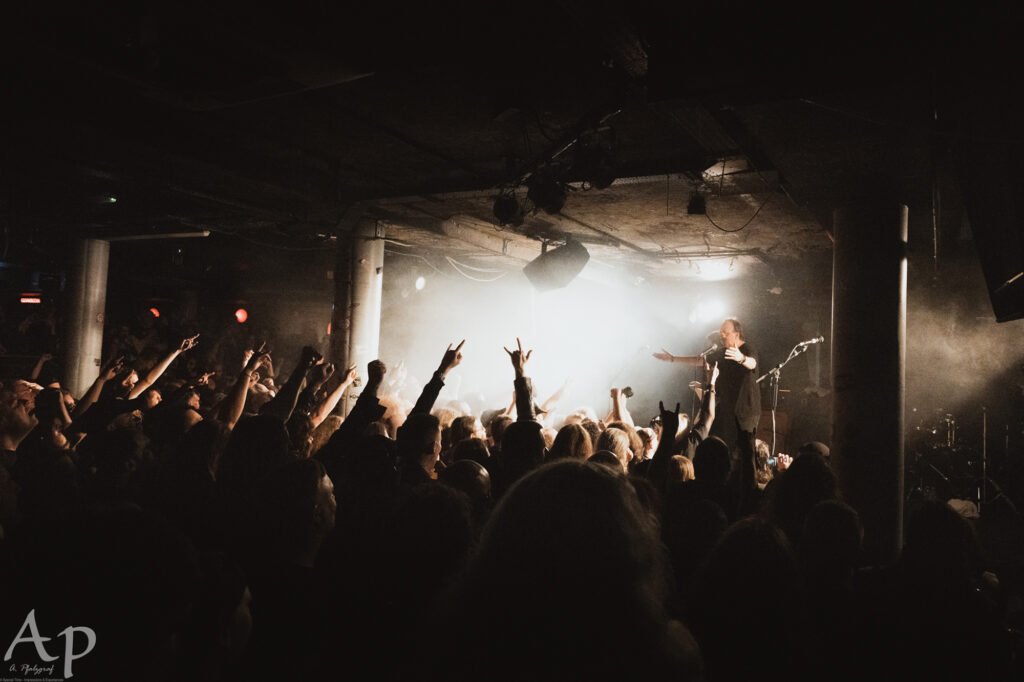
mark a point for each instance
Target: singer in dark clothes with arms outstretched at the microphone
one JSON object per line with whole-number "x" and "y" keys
{"x": 739, "y": 400}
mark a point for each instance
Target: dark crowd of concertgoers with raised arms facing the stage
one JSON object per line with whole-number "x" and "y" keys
{"x": 220, "y": 521}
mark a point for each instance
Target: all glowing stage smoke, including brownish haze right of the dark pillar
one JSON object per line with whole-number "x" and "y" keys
{"x": 601, "y": 332}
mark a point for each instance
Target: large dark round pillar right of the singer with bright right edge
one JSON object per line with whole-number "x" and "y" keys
{"x": 869, "y": 350}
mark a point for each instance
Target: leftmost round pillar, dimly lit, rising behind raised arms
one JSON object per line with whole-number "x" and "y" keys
{"x": 88, "y": 301}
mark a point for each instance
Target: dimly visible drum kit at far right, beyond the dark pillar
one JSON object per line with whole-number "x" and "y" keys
{"x": 940, "y": 464}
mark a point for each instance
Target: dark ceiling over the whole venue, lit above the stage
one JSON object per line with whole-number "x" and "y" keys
{"x": 276, "y": 124}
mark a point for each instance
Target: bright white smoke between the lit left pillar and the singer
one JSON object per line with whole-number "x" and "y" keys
{"x": 596, "y": 333}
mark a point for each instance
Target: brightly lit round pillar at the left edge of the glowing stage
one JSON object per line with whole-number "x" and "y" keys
{"x": 357, "y": 321}
